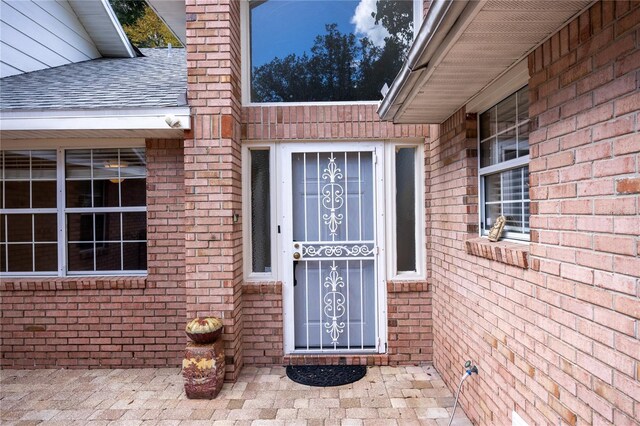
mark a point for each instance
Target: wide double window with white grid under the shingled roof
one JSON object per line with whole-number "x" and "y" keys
{"x": 75, "y": 211}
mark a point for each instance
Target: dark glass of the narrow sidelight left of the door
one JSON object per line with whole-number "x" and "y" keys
{"x": 260, "y": 212}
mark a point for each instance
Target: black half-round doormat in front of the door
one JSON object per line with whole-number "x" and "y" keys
{"x": 326, "y": 375}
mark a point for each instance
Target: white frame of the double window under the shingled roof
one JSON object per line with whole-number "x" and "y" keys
{"x": 60, "y": 146}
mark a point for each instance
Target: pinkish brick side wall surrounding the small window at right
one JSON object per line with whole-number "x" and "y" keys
{"x": 556, "y": 340}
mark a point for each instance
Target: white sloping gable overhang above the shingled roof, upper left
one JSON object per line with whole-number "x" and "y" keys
{"x": 101, "y": 23}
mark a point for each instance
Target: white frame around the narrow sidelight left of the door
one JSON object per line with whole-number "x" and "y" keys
{"x": 249, "y": 275}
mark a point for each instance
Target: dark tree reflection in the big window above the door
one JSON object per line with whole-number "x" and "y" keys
{"x": 340, "y": 66}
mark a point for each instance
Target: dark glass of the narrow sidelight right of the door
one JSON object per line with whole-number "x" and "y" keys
{"x": 406, "y": 209}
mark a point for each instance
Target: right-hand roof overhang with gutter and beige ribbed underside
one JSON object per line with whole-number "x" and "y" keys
{"x": 463, "y": 46}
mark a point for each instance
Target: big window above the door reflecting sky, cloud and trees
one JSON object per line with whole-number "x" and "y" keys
{"x": 310, "y": 51}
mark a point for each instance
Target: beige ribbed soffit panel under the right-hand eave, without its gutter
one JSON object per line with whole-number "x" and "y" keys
{"x": 495, "y": 37}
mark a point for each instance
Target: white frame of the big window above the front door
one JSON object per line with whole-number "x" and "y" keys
{"x": 245, "y": 55}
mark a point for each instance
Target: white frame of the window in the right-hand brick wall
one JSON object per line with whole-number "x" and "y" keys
{"x": 504, "y": 166}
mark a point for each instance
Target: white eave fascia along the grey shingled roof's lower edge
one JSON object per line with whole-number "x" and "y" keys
{"x": 147, "y": 123}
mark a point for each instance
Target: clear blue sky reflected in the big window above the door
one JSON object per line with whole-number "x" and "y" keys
{"x": 282, "y": 27}
